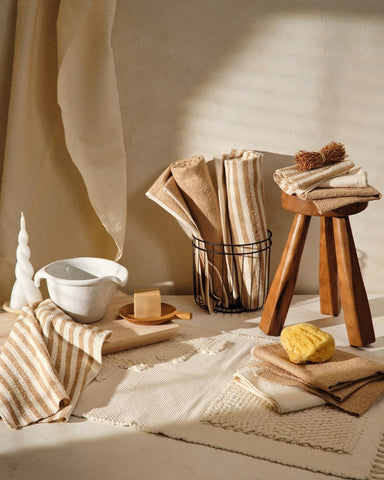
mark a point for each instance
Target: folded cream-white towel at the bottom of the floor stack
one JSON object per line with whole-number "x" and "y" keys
{"x": 281, "y": 398}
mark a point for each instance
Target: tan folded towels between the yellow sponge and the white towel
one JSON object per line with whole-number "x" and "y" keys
{"x": 348, "y": 381}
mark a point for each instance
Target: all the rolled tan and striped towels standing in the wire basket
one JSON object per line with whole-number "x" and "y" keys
{"x": 220, "y": 202}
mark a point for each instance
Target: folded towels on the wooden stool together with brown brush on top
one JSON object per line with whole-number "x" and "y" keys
{"x": 327, "y": 178}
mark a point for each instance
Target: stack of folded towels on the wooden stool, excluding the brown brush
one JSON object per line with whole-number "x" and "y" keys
{"x": 328, "y": 187}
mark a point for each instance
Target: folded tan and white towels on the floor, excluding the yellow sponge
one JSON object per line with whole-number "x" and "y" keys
{"x": 347, "y": 381}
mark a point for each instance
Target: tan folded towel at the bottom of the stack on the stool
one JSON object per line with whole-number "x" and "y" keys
{"x": 327, "y": 199}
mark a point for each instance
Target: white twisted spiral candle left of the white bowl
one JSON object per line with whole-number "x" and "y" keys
{"x": 24, "y": 290}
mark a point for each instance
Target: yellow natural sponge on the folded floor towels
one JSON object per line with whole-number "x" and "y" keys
{"x": 306, "y": 343}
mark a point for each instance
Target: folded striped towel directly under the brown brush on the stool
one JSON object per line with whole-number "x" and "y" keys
{"x": 291, "y": 181}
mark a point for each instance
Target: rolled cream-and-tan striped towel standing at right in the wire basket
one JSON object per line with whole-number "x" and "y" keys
{"x": 246, "y": 211}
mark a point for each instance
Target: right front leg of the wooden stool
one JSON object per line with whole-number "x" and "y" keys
{"x": 357, "y": 314}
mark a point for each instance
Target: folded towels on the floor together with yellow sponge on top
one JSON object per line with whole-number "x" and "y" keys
{"x": 305, "y": 370}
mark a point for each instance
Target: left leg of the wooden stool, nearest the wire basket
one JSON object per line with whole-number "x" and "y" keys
{"x": 281, "y": 291}
